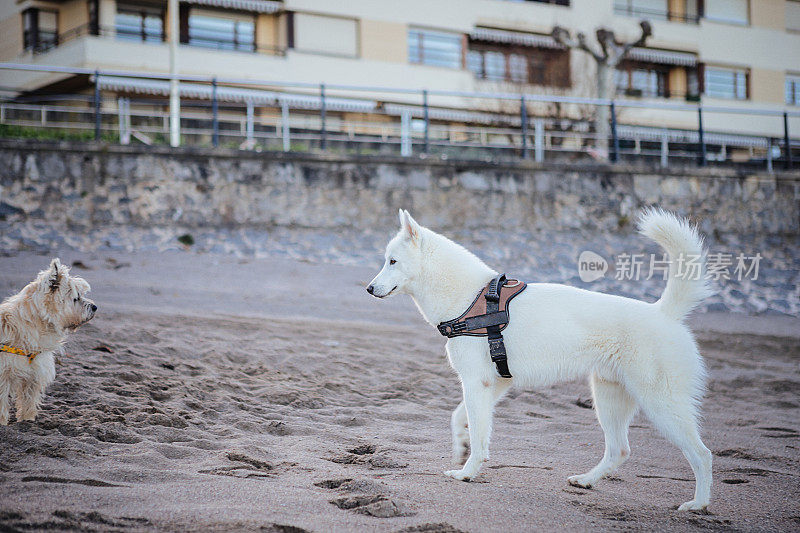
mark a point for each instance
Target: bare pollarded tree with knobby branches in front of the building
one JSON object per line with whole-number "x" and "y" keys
{"x": 612, "y": 51}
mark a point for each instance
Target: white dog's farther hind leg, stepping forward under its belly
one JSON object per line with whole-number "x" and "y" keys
{"x": 614, "y": 408}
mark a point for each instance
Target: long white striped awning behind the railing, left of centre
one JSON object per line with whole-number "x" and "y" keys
{"x": 232, "y": 94}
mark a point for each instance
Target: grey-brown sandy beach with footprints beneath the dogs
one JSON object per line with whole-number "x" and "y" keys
{"x": 215, "y": 393}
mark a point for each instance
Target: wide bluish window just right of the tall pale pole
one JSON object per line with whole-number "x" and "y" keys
{"x": 221, "y": 30}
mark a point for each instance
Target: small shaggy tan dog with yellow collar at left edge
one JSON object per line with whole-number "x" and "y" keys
{"x": 33, "y": 326}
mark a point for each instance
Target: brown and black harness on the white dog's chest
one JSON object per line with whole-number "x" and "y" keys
{"x": 487, "y": 317}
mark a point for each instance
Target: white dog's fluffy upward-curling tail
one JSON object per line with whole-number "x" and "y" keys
{"x": 686, "y": 286}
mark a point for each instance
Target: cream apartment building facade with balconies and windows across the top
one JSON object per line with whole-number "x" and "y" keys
{"x": 741, "y": 54}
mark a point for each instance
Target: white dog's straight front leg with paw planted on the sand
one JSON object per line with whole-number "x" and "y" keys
{"x": 479, "y": 403}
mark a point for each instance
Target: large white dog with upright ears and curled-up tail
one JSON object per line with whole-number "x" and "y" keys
{"x": 637, "y": 355}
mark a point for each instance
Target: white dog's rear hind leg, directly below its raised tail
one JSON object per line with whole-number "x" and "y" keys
{"x": 678, "y": 423}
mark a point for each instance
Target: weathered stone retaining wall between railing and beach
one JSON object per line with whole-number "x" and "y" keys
{"x": 87, "y": 186}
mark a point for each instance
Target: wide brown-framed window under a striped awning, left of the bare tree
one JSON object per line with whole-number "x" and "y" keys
{"x": 519, "y": 64}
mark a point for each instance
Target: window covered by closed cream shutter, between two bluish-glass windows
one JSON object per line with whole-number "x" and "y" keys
{"x": 329, "y": 35}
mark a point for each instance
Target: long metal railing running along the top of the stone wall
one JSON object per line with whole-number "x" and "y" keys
{"x": 305, "y": 116}
